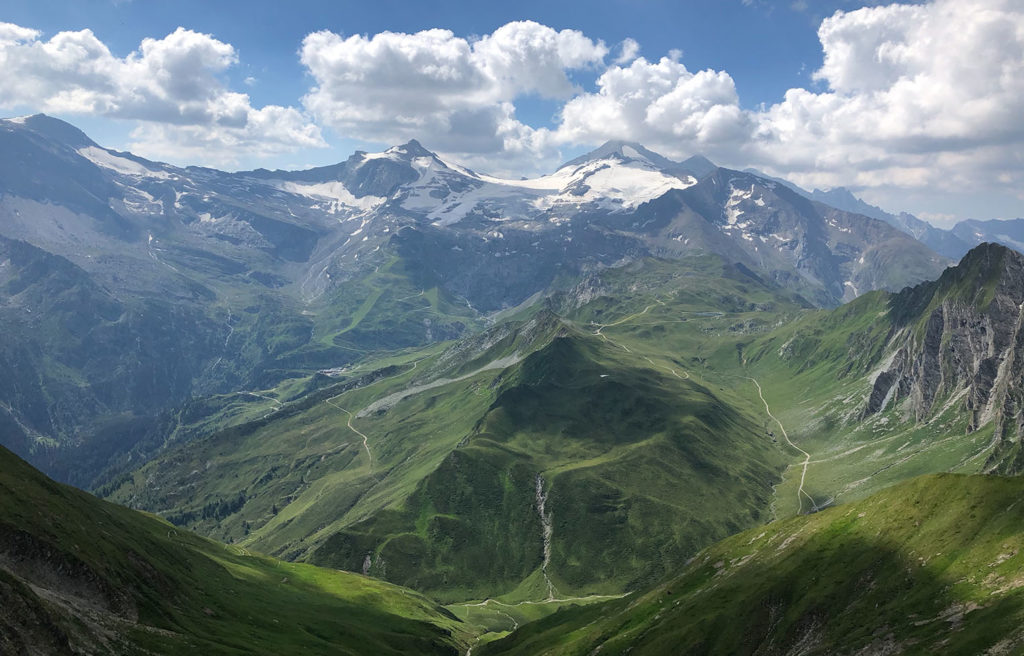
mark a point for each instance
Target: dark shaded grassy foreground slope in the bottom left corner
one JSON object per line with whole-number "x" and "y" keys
{"x": 81, "y": 575}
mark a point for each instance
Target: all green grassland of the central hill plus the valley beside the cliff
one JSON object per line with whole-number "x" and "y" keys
{"x": 643, "y": 382}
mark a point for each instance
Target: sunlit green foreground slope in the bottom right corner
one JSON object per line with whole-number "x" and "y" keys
{"x": 932, "y": 565}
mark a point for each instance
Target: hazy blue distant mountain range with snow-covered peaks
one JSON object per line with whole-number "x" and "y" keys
{"x": 276, "y": 273}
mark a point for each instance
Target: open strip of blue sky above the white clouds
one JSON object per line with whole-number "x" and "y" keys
{"x": 719, "y": 34}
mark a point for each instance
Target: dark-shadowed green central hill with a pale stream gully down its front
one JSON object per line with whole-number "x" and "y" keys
{"x": 605, "y": 444}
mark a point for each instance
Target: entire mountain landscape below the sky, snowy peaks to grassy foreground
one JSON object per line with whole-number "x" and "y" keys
{"x": 506, "y": 397}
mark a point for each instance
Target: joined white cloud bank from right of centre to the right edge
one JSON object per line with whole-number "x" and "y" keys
{"x": 916, "y": 97}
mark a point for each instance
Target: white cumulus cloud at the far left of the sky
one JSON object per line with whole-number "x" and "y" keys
{"x": 174, "y": 85}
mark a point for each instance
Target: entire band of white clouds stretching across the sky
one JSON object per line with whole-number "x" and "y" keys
{"x": 909, "y": 98}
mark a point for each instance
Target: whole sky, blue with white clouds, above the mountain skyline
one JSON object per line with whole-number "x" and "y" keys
{"x": 915, "y": 107}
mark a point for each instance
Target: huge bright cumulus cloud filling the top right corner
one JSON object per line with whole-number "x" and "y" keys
{"x": 918, "y": 96}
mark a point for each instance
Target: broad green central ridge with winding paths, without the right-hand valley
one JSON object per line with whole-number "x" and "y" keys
{"x": 432, "y": 472}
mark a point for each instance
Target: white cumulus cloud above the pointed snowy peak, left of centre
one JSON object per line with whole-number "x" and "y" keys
{"x": 456, "y": 94}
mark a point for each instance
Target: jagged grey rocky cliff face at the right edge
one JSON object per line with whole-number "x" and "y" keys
{"x": 959, "y": 340}
